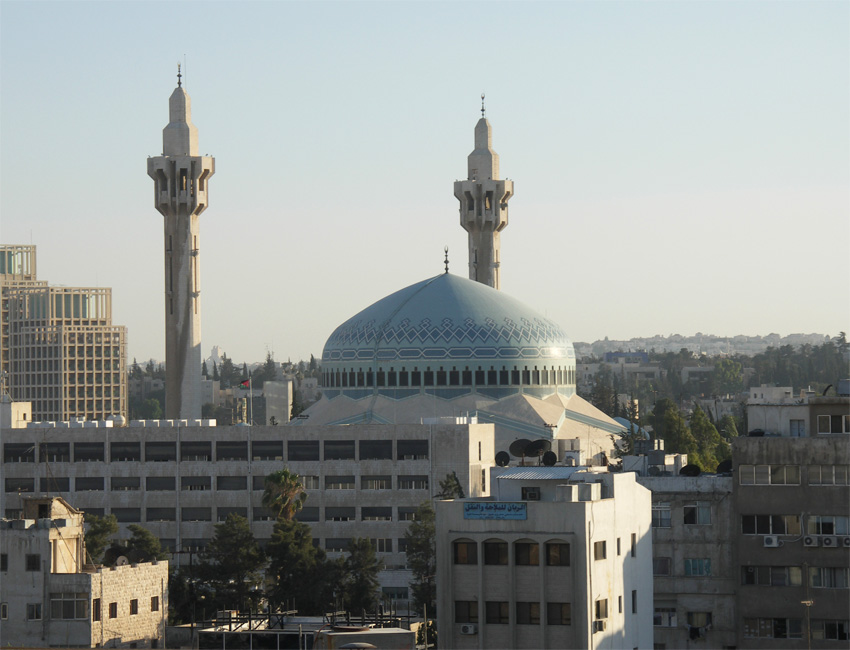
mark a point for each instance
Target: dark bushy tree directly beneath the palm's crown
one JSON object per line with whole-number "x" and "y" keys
{"x": 293, "y": 563}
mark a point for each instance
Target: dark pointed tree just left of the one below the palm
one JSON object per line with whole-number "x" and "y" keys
{"x": 231, "y": 564}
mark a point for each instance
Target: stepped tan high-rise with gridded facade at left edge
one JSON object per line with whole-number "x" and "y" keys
{"x": 62, "y": 353}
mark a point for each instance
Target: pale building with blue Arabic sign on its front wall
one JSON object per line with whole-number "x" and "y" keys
{"x": 559, "y": 557}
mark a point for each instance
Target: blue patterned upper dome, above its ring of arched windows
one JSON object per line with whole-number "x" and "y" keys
{"x": 449, "y": 318}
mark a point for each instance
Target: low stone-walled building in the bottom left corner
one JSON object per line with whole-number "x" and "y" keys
{"x": 50, "y": 597}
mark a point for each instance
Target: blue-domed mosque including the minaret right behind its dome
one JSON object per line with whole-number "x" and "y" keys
{"x": 449, "y": 348}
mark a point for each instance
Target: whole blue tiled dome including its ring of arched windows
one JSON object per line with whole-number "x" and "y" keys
{"x": 448, "y": 331}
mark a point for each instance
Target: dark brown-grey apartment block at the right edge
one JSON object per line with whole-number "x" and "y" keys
{"x": 792, "y": 536}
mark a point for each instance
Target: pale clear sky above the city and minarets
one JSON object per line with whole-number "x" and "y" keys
{"x": 678, "y": 166}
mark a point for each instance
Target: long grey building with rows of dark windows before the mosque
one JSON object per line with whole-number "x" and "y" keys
{"x": 179, "y": 481}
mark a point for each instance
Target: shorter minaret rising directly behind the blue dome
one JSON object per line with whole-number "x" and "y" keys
{"x": 484, "y": 206}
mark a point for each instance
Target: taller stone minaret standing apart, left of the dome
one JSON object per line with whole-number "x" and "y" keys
{"x": 181, "y": 178}
